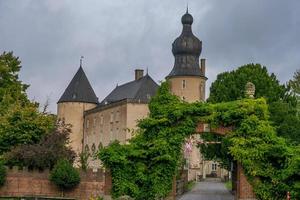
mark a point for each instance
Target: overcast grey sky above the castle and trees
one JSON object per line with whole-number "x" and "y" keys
{"x": 117, "y": 36}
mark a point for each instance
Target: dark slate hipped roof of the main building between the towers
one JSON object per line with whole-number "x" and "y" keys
{"x": 139, "y": 90}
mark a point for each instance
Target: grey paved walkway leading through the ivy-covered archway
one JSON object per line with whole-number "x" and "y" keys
{"x": 208, "y": 191}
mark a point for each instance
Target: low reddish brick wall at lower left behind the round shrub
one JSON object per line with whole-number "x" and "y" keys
{"x": 36, "y": 183}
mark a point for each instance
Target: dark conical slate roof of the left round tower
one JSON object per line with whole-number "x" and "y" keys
{"x": 79, "y": 90}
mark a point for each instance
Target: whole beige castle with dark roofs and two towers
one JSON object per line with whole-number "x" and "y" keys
{"x": 96, "y": 124}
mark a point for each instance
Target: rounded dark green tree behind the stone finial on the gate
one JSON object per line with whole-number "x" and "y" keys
{"x": 230, "y": 86}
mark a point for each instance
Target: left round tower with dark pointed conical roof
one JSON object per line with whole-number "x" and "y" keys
{"x": 77, "y": 98}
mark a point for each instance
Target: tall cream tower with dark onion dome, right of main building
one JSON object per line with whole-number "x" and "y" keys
{"x": 187, "y": 78}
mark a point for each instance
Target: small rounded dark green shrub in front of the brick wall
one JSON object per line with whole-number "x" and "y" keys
{"x": 64, "y": 175}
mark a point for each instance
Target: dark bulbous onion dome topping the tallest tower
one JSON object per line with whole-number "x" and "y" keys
{"x": 186, "y": 50}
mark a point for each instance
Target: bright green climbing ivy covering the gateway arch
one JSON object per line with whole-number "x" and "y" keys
{"x": 144, "y": 168}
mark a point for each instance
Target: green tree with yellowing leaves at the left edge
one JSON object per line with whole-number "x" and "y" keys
{"x": 20, "y": 119}
